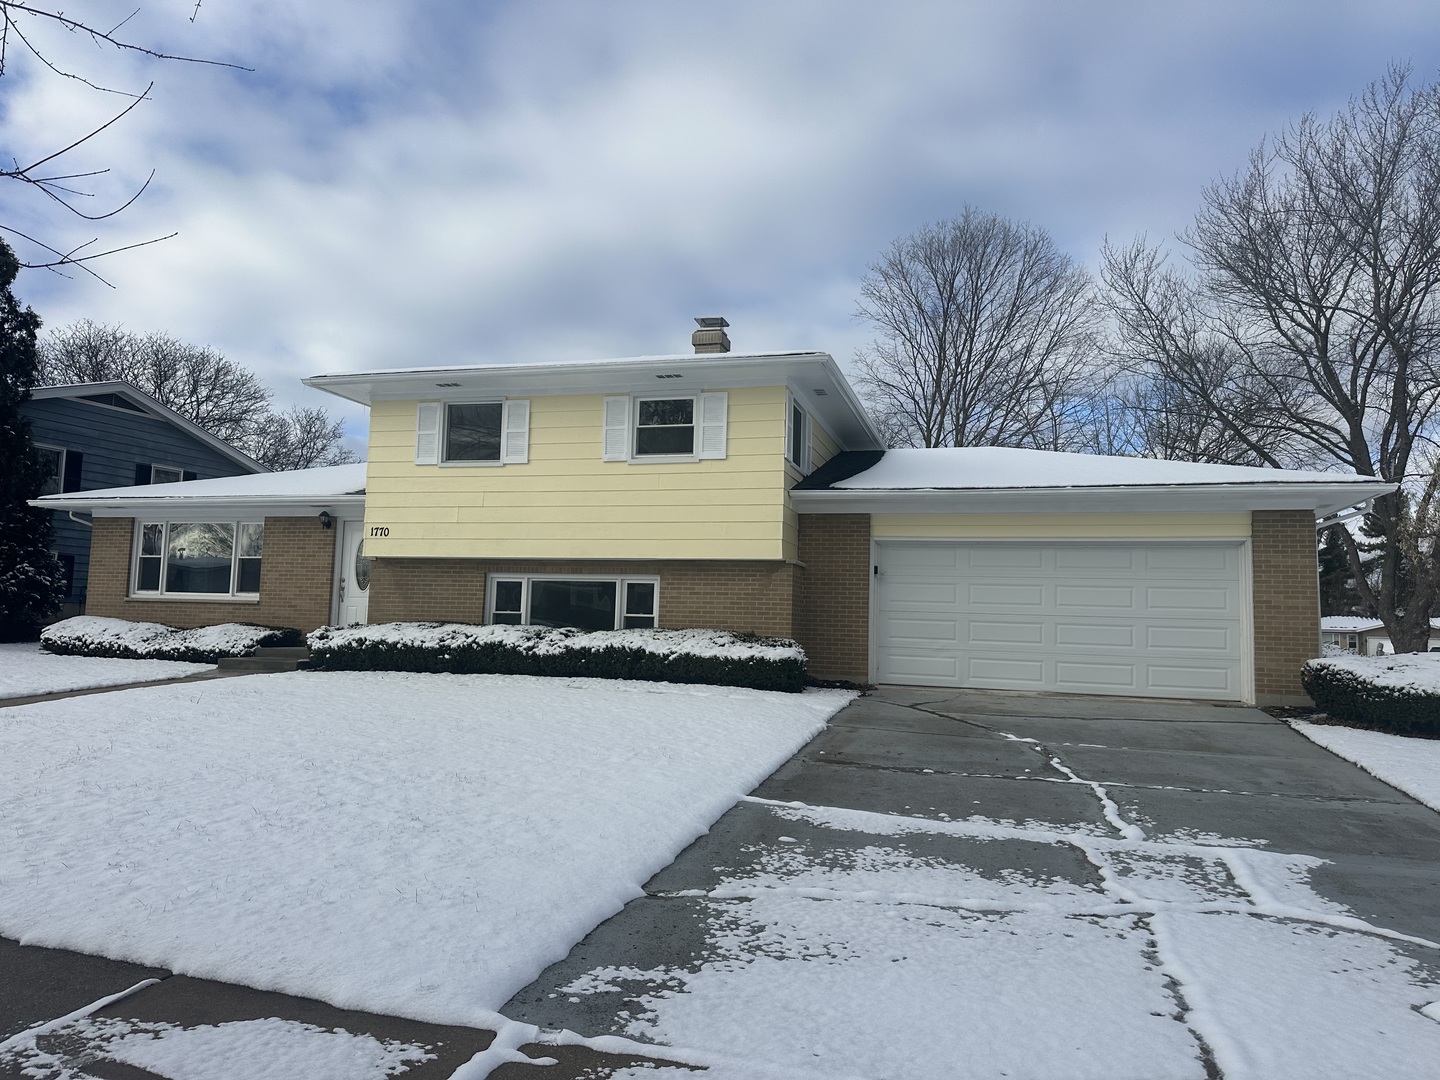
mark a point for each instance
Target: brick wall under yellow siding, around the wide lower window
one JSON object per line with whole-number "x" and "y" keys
{"x": 751, "y": 597}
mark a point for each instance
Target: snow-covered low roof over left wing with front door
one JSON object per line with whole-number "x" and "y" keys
{"x": 303, "y": 489}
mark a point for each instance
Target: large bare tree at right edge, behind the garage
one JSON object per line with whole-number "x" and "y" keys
{"x": 1311, "y": 332}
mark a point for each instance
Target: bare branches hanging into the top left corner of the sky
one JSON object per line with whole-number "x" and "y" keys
{"x": 30, "y": 28}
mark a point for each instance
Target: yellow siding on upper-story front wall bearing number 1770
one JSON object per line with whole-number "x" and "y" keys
{"x": 567, "y": 503}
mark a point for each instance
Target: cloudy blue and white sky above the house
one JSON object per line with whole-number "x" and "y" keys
{"x": 449, "y": 182}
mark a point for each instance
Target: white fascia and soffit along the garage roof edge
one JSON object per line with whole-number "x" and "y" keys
{"x": 1202, "y": 499}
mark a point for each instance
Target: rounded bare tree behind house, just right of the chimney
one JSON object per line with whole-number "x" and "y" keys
{"x": 986, "y": 335}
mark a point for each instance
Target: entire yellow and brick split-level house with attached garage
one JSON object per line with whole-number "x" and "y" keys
{"x": 751, "y": 493}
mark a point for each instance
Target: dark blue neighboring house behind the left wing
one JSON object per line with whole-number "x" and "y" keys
{"x": 107, "y": 436}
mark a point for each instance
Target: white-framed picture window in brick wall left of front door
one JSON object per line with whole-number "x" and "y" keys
{"x": 199, "y": 558}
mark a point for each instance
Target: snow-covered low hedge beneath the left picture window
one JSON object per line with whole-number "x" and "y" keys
{"x": 91, "y": 636}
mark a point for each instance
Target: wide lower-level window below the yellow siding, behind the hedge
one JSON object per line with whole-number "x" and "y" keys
{"x": 575, "y": 601}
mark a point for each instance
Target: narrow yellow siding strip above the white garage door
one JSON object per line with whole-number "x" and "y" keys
{"x": 1230, "y": 526}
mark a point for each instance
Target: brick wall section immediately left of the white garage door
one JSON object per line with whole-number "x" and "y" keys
{"x": 833, "y": 600}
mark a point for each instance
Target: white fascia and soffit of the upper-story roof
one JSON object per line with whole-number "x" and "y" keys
{"x": 840, "y": 408}
